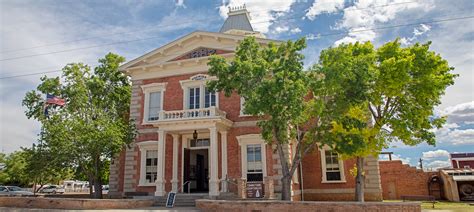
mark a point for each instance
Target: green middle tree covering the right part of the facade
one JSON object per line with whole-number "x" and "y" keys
{"x": 274, "y": 85}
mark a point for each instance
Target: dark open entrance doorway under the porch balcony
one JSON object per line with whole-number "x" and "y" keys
{"x": 196, "y": 170}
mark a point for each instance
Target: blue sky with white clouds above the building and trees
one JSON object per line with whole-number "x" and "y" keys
{"x": 43, "y": 36}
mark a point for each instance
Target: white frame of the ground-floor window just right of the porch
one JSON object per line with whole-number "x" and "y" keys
{"x": 251, "y": 139}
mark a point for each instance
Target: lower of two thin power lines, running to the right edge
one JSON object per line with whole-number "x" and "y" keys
{"x": 323, "y": 35}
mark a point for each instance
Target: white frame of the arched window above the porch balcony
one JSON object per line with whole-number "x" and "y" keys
{"x": 200, "y": 81}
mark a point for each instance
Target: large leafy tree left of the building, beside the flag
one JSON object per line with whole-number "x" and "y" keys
{"x": 93, "y": 125}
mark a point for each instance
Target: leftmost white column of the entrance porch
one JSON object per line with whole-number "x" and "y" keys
{"x": 160, "y": 175}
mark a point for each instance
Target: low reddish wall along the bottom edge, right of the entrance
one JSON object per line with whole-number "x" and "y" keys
{"x": 276, "y": 206}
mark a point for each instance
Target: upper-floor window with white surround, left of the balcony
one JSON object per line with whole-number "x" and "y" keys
{"x": 153, "y": 102}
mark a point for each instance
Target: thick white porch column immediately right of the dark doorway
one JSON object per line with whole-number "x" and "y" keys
{"x": 213, "y": 157}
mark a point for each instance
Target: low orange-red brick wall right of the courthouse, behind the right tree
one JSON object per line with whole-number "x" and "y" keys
{"x": 400, "y": 179}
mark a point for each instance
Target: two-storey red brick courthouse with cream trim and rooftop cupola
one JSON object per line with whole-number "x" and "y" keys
{"x": 193, "y": 140}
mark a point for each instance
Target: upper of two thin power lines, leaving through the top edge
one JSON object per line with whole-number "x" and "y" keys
{"x": 160, "y": 26}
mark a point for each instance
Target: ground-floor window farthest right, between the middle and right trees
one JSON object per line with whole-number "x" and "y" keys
{"x": 333, "y": 167}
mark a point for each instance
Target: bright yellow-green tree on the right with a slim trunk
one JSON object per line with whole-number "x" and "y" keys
{"x": 374, "y": 96}
